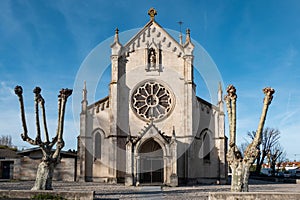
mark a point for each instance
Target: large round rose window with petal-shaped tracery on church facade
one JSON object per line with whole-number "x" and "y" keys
{"x": 151, "y": 100}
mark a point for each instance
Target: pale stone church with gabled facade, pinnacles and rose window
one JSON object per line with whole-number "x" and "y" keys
{"x": 152, "y": 128}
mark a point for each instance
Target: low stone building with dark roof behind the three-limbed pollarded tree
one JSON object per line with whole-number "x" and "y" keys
{"x": 22, "y": 165}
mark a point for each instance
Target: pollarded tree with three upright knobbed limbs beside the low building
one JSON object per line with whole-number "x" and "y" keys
{"x": 50, "y": 157}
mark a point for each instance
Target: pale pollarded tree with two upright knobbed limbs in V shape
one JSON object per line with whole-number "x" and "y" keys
{"x": 240, "y": 164}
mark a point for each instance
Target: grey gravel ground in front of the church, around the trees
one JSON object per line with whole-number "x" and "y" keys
{"x": 119, "y": 191}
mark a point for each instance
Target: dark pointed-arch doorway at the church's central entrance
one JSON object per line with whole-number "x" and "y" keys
{"x": 151, "y": 163}
